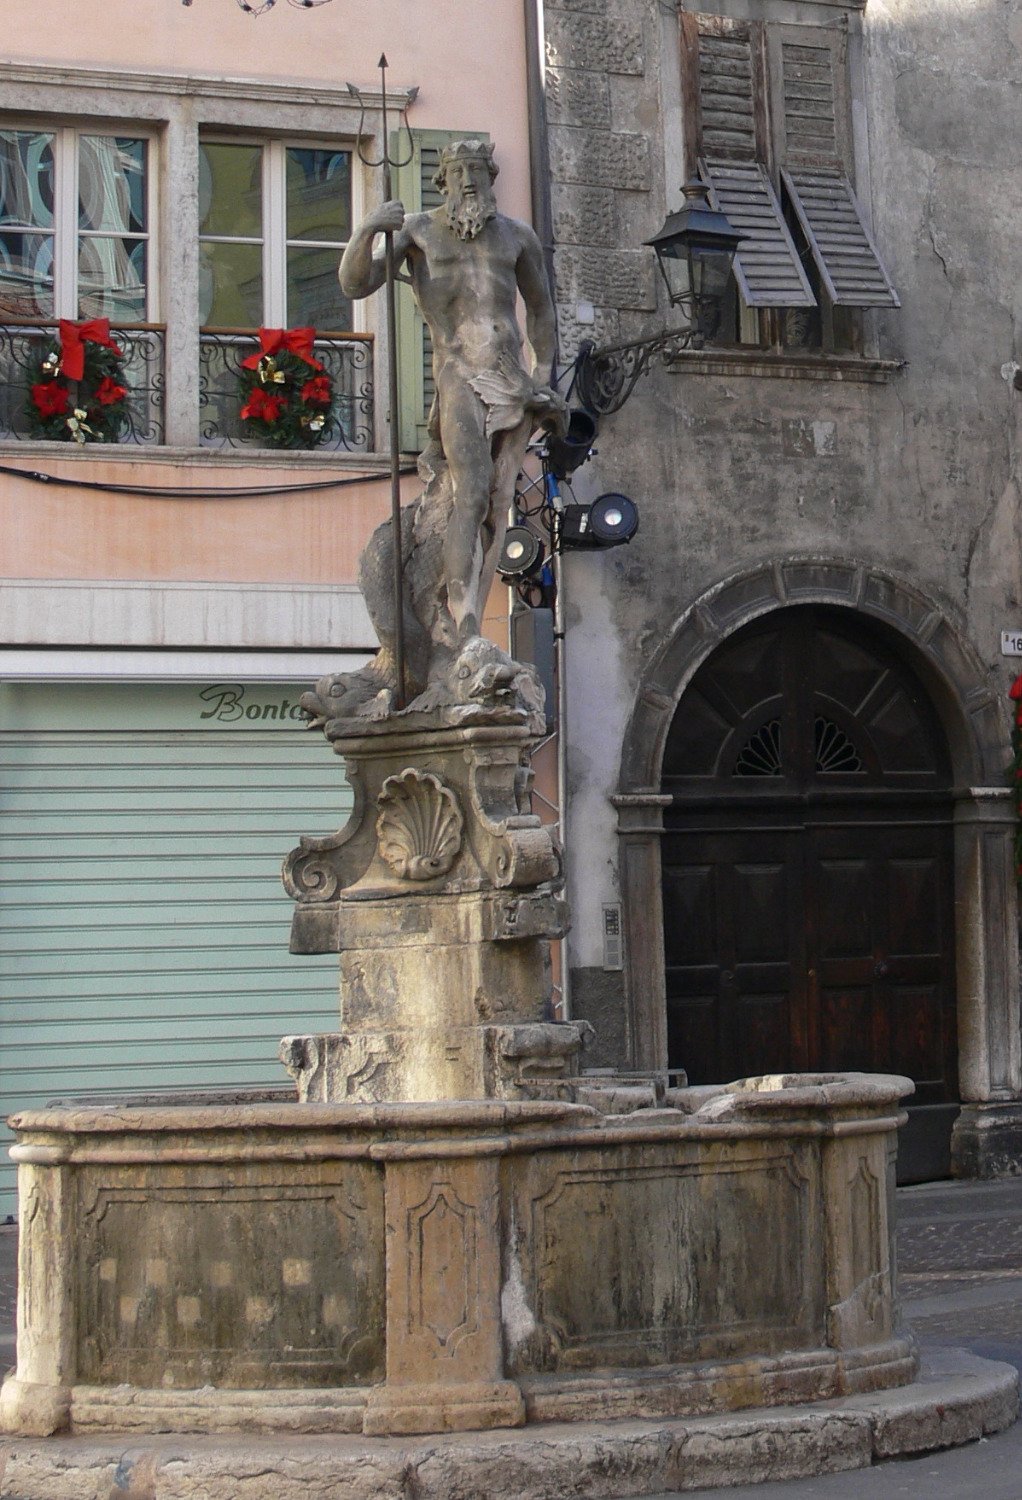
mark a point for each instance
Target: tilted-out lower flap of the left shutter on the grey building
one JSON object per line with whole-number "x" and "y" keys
{"x": 768, "y": 266}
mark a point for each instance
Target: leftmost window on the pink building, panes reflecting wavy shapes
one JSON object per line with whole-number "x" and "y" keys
{"x": 74, "y": 226}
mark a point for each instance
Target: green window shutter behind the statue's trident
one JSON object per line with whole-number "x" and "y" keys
{"x": 416, "y": 190}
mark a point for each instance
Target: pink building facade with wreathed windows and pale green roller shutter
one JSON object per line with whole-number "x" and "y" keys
{"x": 191, "y": 175}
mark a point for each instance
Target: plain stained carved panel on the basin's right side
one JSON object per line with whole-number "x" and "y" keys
{"x": 637, "y": 1261}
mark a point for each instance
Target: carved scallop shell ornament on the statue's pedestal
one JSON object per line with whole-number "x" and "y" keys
{"x": 419, "y": 826}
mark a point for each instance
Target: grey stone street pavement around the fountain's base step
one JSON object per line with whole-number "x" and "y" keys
{"x": 961, "y": 1280}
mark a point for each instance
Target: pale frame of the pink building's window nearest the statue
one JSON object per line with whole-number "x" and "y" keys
{"x": 274, "y": 239}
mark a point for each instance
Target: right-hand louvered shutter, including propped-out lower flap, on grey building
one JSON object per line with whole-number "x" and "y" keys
{"x": 813, "y": 139}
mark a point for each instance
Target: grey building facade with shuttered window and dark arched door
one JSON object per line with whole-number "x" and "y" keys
{"x": 789, "y": 698}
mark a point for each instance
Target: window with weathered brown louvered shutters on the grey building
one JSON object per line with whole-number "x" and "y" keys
{"x": 769, "y": 130}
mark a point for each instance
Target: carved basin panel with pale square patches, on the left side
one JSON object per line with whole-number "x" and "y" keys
{"x": 193, "y": 1282}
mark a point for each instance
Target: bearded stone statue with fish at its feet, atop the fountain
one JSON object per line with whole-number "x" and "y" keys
{"x": 467, "y": 265}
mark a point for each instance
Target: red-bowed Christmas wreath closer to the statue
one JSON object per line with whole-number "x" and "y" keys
{"x": 286, "y": 391}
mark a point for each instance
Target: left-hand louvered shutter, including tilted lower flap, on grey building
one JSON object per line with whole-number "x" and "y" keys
{"x": 726, "y": 89}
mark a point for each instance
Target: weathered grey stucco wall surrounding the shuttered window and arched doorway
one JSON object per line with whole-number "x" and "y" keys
{"x": 913, "y": 470}
